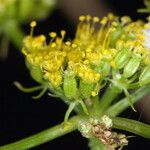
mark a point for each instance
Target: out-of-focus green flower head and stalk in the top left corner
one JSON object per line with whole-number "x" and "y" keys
{"x": 14, "y": 13}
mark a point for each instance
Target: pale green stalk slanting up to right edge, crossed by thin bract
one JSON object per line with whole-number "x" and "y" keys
{"x": 123, "y": 104}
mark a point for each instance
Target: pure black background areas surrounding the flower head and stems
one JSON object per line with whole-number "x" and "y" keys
{"x": 21, "y": 116}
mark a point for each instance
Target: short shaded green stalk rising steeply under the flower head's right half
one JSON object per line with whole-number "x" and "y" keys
{"x": 110, "y": 94}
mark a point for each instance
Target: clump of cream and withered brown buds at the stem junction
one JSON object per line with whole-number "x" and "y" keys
{"x": 101, "y": 129}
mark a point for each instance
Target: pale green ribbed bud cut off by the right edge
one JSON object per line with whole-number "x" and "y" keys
{"x": 145, "y": 76}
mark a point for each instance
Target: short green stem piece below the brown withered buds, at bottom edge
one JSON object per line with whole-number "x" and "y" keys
{"x": 96, "y": 144}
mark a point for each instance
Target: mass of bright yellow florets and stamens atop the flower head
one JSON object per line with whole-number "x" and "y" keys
{"x": 96, "y": 41}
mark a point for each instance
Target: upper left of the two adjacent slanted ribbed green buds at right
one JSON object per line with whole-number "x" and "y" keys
{"x": 122, "y": 58}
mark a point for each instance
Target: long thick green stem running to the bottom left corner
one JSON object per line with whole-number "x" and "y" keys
{"x": 44, "y": 136}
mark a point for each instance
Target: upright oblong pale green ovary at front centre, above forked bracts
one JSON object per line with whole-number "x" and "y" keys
{"x": 70, "y": 85}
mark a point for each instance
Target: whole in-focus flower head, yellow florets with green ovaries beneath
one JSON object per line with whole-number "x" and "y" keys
{"x": 117, "y": 51}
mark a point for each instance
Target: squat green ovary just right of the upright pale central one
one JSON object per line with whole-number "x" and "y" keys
{"x": 86, "y": 88}
